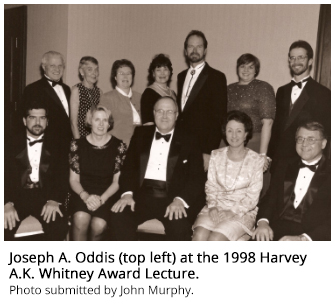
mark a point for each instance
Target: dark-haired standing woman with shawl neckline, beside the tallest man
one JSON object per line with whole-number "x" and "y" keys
{"x": 160, "y": 73}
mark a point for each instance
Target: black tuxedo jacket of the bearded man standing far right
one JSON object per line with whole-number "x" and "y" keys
{"x": 312, "y": 104}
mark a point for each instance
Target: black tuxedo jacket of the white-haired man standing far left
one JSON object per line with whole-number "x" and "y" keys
{"x": 59, "y": 123}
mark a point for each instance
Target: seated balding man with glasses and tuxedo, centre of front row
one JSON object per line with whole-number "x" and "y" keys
{"x": 162, "y": 177}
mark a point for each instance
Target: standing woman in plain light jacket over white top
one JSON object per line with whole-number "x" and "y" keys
{"x": 123, "y": 102}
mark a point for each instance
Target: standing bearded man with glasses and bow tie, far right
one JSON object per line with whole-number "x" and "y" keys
{"x": 298, "y": 101}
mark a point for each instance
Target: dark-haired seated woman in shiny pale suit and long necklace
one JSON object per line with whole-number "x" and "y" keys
{"x": 235, "y": 178}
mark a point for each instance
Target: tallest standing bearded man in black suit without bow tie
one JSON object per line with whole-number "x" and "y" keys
{"x": 202, "y": 96}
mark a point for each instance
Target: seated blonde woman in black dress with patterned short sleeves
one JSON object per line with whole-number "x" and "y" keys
{"x": 95, "y": 163}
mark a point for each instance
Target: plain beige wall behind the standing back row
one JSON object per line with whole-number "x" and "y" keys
{"x": 138, "y": 32}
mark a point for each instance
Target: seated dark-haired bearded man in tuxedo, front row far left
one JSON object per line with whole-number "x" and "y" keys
{"x": 36, "y": 177}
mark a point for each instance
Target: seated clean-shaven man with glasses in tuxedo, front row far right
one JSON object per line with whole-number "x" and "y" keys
{"x": 297, "y": 204}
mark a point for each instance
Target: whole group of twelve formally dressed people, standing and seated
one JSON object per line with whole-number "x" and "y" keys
{"x": 129, "y": 158}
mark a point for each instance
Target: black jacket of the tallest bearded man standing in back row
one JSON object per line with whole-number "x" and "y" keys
{"x": 206, "y": 108}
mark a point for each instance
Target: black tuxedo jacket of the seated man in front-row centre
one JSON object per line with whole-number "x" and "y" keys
{"x": 185, "y": 174}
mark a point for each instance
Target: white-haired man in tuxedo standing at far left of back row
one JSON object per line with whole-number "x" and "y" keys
{"x": 55, "y": 95}
